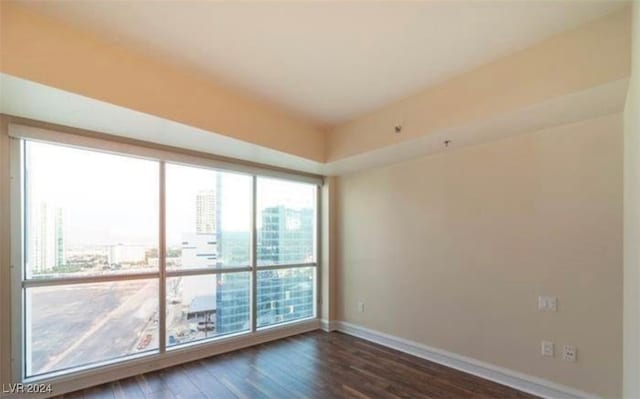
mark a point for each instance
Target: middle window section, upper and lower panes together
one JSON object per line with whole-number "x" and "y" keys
{"x": 209, "y": 217}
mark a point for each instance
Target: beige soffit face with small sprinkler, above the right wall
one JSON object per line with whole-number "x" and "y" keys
{"x": 593, "y": 54}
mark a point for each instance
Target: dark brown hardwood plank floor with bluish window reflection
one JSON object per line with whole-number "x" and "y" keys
{"x": 312, "y": 365}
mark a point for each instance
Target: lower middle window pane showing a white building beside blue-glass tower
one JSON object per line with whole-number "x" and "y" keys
{"x": 200, "y": 307}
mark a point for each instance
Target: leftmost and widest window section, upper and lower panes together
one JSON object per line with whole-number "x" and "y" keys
{"x": 90, "y": 257}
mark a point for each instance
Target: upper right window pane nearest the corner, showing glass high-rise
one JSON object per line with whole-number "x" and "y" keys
{"x": 286, "y": 221}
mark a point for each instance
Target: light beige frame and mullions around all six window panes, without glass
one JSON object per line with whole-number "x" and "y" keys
{"x": 19, "y": 133}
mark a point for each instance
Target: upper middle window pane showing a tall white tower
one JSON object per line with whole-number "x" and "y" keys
{"x": 208, "y": 218}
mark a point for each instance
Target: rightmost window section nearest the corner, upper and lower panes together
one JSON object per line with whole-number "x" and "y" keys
{"x": 286, "y": 247}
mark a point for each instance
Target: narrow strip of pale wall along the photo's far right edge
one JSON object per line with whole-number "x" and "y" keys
{"x": 632, "y": 223}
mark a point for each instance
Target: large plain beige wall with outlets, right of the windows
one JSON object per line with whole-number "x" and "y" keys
{"x": 452, "y": 250}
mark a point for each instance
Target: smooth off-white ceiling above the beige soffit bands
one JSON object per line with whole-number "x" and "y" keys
{"x": 329, "y": 61}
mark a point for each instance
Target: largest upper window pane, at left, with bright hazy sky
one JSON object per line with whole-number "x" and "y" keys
{"x": 88, "y": 212}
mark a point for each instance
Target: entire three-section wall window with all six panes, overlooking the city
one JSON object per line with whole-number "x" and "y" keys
{"x": 125, "y": 256}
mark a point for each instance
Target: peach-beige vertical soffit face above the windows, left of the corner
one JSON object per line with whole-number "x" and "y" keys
{"x": 46, "y": 51}
